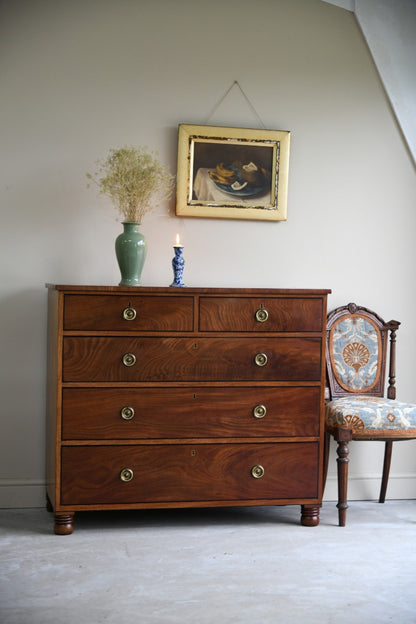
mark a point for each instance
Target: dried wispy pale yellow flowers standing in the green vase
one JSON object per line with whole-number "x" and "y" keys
{"x": 134, "y": 179}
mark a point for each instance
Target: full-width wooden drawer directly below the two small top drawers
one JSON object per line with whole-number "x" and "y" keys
{"x": 187, "y": 359}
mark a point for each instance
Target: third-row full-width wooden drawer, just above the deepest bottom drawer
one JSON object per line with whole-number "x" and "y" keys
{"x": 193, "y": 412}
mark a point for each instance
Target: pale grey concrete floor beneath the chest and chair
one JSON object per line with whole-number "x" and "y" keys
{"x": 212, "y": 566}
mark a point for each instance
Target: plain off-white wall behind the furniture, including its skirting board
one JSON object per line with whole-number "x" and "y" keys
{"x": 82, "y": 76}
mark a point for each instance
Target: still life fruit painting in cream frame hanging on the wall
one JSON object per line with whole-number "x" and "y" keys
{"x": 232, "y": 173}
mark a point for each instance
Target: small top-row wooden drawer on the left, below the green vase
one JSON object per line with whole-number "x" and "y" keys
{"x": 128, "y": 313}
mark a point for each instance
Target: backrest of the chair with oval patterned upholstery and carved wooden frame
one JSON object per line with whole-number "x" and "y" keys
{"x": 356, "y": 352}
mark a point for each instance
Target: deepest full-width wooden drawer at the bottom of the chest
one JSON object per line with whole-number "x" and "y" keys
{"x": 182, "y": 473}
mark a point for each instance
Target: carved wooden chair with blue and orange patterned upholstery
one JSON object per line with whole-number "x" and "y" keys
{"x": 357, "y": 341}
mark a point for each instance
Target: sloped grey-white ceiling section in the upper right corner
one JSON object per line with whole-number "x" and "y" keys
{"x": 389, "y": 27}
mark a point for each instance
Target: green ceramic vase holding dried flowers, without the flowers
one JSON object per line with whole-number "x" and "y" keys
{"x": 131, "y": 252}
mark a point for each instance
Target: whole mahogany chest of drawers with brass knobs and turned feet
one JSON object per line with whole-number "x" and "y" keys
{"x": 184, "y": 397}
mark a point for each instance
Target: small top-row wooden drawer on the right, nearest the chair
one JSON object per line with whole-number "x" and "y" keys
{"x": 260, "y": 314}
